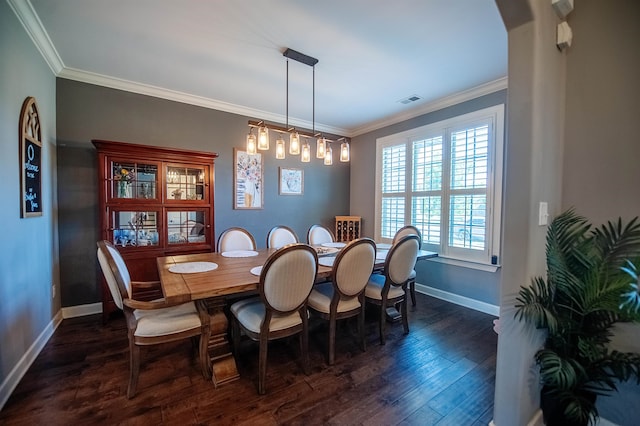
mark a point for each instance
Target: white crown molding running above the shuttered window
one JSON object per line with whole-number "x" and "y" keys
{"x": 457, "y": 98}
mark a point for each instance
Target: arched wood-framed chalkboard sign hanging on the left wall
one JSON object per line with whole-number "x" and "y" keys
{"x": 30, "y": 160}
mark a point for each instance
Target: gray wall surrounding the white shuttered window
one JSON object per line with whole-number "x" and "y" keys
{"x": 477, "y": 285}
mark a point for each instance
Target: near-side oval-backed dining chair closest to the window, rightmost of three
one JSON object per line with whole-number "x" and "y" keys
{"x": 390, "y": 288}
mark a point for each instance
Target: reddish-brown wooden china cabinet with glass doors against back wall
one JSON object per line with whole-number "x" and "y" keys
{"x": 153, "y": 202}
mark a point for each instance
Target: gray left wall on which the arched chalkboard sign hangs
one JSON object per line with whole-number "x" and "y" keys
{"x": 29, "y": 263}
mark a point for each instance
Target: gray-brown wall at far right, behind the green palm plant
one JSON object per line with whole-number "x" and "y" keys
{"x": 602, "y": 147}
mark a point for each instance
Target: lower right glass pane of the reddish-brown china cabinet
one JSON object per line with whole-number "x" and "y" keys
{"x": 187, "y": 226}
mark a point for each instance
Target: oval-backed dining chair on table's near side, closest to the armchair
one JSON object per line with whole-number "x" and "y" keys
{"x": 286, "y": 280}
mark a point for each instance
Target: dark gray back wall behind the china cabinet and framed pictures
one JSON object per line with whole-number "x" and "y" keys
{"x": 87, "y": 112}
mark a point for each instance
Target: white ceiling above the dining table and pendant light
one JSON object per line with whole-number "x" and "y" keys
{"x": 227, "y": 54}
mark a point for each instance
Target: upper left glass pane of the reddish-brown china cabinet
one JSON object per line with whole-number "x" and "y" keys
{"x": 134, "y": 180}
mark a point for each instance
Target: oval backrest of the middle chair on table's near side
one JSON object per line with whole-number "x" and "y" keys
{"x": 353, "y": 266}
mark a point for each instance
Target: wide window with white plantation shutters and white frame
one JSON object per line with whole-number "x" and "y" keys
{"x": 446, "y": 179}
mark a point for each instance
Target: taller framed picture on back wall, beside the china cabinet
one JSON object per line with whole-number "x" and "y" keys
{"x": 248, "y": 181}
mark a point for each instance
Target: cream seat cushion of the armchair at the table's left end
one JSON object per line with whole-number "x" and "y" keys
{"x": 166, "y": 321}
